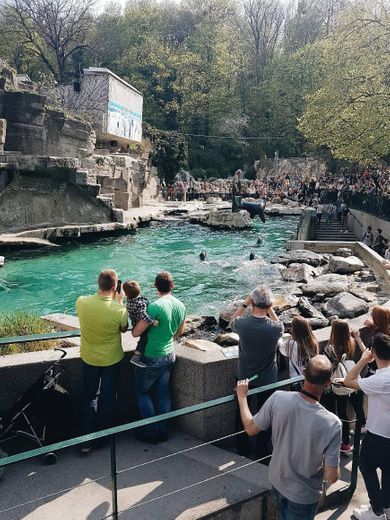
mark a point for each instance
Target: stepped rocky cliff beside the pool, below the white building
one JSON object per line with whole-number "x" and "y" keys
{"x": 50, "y": 172}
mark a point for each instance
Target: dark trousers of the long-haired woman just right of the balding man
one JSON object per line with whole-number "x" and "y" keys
{"x": 337, "y": 404}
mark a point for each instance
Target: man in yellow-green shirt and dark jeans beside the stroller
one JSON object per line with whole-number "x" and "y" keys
{"x": 102, "y": 319}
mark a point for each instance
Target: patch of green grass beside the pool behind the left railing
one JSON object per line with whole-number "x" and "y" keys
{"x": 23, "y": 324}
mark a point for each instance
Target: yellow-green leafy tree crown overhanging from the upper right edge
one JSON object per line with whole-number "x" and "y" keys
{"x": 350, "y": 113}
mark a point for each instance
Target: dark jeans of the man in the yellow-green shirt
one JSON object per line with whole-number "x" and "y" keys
{"x": 99, "y": 397}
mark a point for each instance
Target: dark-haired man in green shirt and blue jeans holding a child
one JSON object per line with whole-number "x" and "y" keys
{"x": 159, "y": 356}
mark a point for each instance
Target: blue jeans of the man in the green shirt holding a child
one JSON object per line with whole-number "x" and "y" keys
{"x": 154, "y": 377}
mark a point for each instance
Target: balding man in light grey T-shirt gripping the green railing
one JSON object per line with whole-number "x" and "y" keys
{"x": 306, "y": 440}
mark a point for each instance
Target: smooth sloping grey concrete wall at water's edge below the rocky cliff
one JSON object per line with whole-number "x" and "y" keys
{"x": 32, "y": 201}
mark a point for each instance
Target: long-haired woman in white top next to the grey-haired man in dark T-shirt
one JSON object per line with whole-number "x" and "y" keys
{"x": 301, "y": 347}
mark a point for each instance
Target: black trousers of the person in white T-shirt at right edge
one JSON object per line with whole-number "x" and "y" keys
{"x": 374, "y": 454}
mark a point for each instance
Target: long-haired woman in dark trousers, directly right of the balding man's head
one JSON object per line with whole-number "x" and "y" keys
{"x": 343, "y": 344}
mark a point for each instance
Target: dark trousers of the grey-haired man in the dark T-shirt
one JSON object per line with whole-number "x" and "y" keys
{"x": 263, "y": 439}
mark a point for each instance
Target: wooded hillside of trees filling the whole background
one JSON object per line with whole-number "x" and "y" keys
{"x": 266, "y": 75}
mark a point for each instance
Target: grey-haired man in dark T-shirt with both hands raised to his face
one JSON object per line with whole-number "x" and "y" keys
{"x": 259, "y": 334}
